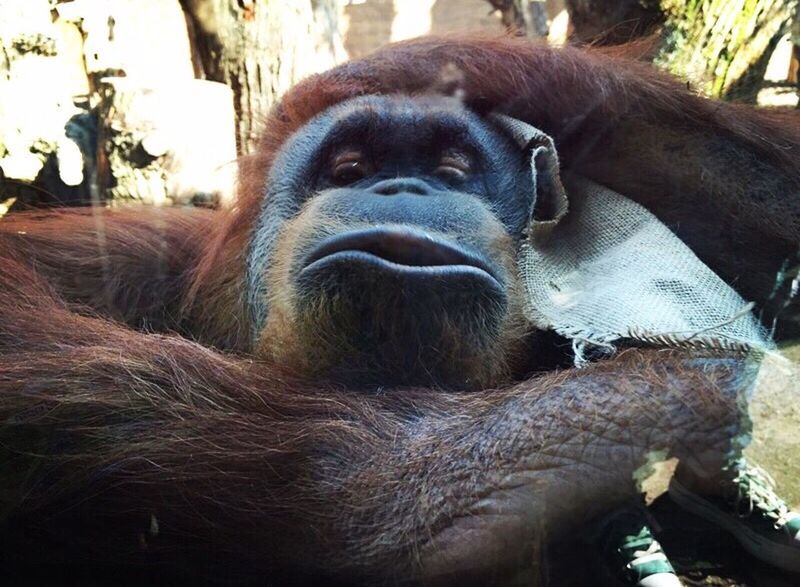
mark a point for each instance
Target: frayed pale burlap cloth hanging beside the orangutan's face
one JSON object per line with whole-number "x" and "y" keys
{"x": 604, "y": 272}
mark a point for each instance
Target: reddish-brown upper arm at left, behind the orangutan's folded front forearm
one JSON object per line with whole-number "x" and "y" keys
{"x": 132, "y": 265}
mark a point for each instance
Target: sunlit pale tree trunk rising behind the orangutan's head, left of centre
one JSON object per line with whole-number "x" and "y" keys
{"x": 261, "y": 48}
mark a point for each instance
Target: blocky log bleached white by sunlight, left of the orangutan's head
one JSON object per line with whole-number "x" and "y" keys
{"x": 172, "y": 143}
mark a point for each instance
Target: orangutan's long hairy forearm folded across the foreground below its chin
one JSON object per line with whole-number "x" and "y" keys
{"x": 114, "y": 428}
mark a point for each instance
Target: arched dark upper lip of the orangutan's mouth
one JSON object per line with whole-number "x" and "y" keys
{"x": 403, "y": 247}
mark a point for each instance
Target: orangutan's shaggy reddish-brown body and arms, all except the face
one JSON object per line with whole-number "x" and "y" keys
{"x": 128, "y": 389}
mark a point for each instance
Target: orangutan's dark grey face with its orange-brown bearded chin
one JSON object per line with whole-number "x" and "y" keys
{"x": 396, "y": 223}
